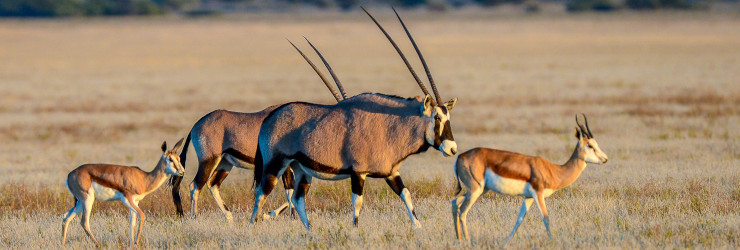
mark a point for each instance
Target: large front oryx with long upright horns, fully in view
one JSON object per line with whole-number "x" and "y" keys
{"x": 367, "y": 135}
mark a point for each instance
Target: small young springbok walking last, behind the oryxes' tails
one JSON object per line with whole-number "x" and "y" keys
{"x": 106, "y": 182}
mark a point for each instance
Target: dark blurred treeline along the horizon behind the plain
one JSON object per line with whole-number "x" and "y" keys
{"x": 67, "y": 8}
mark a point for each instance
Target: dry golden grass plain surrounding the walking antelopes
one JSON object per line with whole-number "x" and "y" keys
{"x": 661, "y": 90}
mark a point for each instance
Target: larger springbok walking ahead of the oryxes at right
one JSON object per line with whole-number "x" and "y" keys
{"x": 481, "y": 170}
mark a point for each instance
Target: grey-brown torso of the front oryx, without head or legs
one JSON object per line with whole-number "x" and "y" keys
{"x": 367, "y": 133}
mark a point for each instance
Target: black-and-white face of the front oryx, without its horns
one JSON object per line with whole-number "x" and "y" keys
{"x": 439, "y": 132}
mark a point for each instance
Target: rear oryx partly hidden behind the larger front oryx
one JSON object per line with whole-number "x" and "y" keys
{"x": 223, "y": 139}
